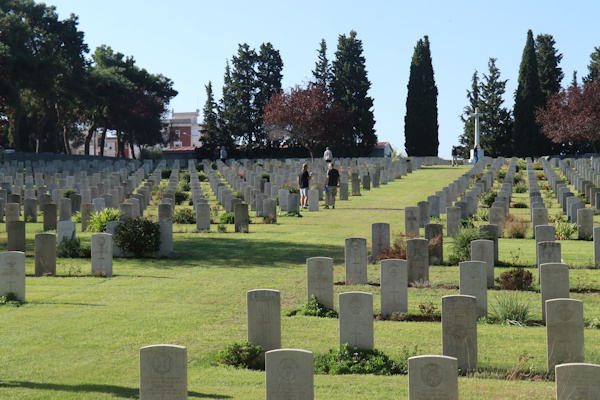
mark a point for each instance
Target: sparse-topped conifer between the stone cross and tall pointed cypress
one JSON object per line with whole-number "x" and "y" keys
{"x": 496, "y": 122}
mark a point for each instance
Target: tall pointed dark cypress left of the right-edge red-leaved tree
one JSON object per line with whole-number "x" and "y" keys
{"x": 528, "y": 139}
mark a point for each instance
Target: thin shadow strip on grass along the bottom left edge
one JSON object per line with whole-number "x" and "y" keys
{"x": 116, "y": 391}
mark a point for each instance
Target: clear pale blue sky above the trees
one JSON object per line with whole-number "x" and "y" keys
{"x": 190, "y": 41}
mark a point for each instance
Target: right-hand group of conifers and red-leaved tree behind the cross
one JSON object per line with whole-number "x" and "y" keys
{"x": 542, "y": 119}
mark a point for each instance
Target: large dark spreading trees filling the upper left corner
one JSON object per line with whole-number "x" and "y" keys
{"x": 50, "y": 93}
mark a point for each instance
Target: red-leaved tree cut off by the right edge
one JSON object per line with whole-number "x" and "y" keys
{"x": 573, "y": 115}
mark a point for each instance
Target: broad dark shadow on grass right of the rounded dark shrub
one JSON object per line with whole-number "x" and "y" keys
{"x": 228, "y": 251}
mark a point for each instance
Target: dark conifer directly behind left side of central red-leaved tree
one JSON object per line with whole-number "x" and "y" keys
{"x": 268, "y": 83}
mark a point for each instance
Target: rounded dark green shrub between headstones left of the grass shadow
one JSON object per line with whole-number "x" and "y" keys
{"x": 138, "y": 236}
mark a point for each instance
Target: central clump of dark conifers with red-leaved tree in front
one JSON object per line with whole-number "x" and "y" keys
{"x": 334, "y": 109}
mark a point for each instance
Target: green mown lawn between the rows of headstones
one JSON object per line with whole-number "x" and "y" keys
{"x": 78, "y": 337}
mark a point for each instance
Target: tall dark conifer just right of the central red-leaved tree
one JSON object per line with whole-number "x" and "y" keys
{"x": 350, "y": 86}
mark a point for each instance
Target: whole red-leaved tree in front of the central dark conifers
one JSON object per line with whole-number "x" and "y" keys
{"x": 306, "y": 117}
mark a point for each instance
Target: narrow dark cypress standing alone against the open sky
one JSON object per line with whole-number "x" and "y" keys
{"x": 421, "y": 120}
